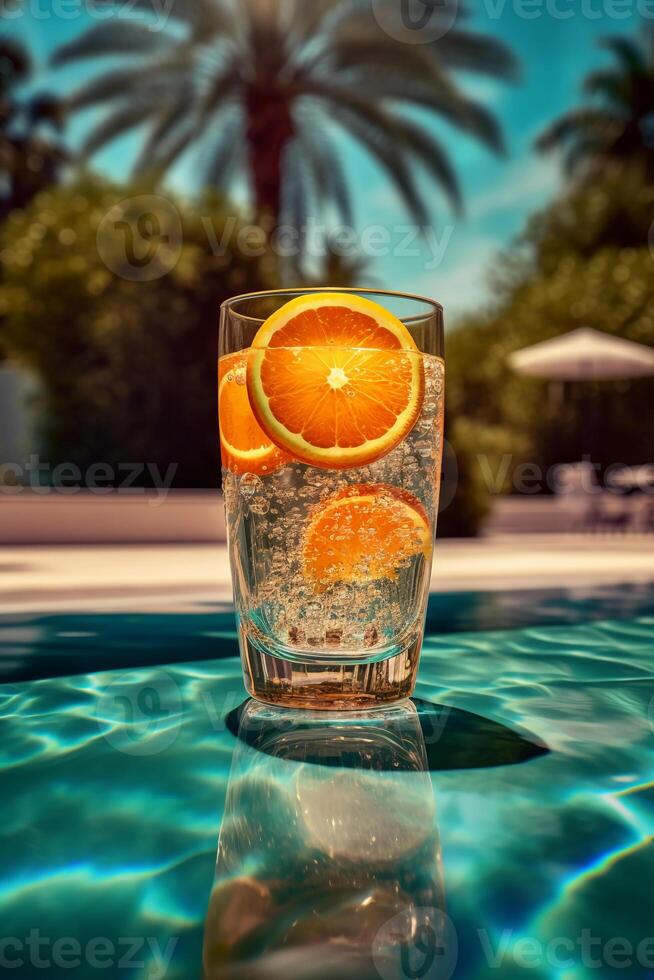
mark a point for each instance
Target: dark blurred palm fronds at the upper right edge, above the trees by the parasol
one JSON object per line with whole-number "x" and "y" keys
{"x": 617, "y": 126}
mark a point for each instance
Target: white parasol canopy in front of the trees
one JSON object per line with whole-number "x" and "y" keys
{"x": 584, "y": 354}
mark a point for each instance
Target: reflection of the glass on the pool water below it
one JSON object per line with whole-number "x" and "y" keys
{"x": 329, "y": 862}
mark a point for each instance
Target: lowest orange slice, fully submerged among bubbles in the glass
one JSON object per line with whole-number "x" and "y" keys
{"x": 363, "y": 533}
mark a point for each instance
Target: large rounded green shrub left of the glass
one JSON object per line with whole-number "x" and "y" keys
{"x": 127, "y": 362}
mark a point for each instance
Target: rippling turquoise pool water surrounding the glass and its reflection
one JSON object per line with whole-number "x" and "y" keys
{"x": 114, "y": 786}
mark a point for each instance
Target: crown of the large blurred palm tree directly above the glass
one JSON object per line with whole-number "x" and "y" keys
{"x": 257, "y": 84}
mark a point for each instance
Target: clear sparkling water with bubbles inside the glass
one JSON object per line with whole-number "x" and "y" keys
{"x": 268, "y": 516}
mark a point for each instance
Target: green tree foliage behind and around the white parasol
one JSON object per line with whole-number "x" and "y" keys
{"x": 587, "y": 260}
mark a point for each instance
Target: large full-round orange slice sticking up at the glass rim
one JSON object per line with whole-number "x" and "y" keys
{"x": 335, "y": 380}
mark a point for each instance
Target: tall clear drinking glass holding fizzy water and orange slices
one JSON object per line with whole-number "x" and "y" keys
{"x": 331, "y": 563}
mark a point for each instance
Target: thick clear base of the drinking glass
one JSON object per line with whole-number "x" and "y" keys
{"x": 325, "y": 685}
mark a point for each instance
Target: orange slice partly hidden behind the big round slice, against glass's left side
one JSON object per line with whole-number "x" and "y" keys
{"x": 244, "y": 447}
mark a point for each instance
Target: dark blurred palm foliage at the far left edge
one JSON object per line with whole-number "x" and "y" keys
{"x": 29, "y": 158}
